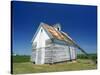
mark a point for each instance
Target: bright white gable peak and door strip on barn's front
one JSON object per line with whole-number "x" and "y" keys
{"x": 38, "y": 43}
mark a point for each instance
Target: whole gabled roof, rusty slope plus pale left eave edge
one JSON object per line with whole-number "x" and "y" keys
{"x": 54, "y": 34}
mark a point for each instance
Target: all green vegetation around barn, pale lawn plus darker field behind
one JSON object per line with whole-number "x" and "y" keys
{"x": 22, "y": 65}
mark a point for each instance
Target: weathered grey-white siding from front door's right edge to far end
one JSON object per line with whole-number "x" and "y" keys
{"x": 58, "y": 53}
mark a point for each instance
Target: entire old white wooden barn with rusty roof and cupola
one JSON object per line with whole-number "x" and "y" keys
{"x": 51, "y": 45}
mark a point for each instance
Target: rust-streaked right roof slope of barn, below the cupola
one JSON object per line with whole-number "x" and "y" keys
{"x": 60, "y": 35}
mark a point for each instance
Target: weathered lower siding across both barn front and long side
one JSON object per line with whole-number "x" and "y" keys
{"x": 53, "y": 52}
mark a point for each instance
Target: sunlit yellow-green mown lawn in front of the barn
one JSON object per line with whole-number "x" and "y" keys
{"x": 28, "y": 67}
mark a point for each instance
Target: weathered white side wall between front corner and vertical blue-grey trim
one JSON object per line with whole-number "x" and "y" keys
{"x": 61, "y": 53}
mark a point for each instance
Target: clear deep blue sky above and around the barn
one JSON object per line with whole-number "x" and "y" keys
{"x": 79, "y": 21}
